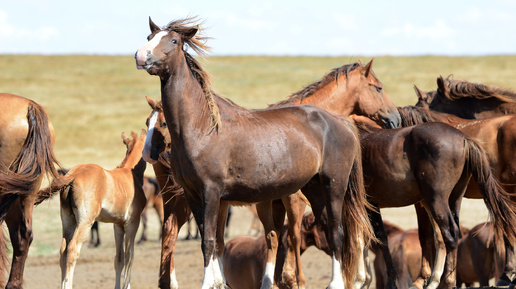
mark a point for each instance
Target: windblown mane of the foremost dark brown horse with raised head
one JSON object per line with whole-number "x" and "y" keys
{"x": 181, "y": 27}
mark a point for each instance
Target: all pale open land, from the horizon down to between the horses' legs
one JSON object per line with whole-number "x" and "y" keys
{"x": 91, "y": 99}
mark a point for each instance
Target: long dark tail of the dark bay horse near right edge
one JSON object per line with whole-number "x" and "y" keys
{"x": 502, "y": 211}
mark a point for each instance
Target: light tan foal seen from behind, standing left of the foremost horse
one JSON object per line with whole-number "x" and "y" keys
{"x": 90, "y": 193}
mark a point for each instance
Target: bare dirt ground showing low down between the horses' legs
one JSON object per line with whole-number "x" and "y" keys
{"x": 95, "y": 266}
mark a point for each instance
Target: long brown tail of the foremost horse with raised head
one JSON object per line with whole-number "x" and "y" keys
{"x": 357, "y": 227}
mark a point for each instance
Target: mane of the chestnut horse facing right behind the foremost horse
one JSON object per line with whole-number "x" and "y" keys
{"x": 310, "y": 89}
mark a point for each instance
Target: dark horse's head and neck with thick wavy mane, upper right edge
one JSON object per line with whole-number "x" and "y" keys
{"x": 470, "y": 100}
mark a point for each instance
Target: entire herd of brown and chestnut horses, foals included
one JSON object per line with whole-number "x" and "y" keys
{"x": 339, "y": 145}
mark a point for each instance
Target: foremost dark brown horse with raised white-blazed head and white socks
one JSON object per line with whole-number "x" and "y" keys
{"x": 220, "y": 168}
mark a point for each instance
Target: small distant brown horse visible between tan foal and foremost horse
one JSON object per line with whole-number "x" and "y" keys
{"x": 154, "y": 200}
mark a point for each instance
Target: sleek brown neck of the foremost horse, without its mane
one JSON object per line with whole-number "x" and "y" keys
{"x": 184, "y": 104}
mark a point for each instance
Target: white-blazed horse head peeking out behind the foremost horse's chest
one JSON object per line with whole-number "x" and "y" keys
{"x": 158, "y": 136}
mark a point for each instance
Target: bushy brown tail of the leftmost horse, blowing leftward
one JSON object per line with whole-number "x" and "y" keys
{"x": 36, "y": 157}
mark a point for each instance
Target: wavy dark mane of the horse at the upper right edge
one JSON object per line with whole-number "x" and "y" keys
{"x": 464, "y": 89}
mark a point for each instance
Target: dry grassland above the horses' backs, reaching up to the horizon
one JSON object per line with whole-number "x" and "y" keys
{"x": 92, "y": 99}
